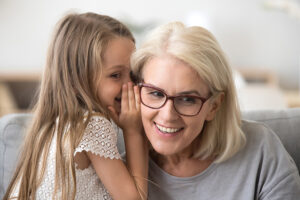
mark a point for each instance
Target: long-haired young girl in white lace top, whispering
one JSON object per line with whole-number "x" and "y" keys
{"x": 70, "y": 150}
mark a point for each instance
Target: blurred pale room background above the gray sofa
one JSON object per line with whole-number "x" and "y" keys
{"x": 261, "y": 39}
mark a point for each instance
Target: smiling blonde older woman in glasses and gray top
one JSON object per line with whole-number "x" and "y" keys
{"x": 201, "y": 148}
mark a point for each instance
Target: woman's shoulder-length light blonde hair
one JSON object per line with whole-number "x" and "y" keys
{"x": 222, "y": 137}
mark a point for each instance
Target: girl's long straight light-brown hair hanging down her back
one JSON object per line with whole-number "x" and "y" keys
{"x": 68, "y": 90}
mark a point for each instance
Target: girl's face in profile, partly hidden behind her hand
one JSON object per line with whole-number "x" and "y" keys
{"x": 116, "y": 72}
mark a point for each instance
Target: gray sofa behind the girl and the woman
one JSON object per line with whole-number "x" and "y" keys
{"x": 285, "y": 123}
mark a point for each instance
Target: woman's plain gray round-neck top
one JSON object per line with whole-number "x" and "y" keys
{"x": 262, "y": 170}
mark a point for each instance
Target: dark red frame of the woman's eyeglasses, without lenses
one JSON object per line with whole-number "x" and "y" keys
{"x": 171, "y": 98}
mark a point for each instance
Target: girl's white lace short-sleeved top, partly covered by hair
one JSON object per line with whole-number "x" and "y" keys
{"x": 100, "y": 138}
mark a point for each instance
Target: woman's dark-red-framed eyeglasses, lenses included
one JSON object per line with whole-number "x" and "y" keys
{"x": 155, "y": 98}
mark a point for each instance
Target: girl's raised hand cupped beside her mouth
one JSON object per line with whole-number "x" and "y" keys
{"x": 130, "y": 117}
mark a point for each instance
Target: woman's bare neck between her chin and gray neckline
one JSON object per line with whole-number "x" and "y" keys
{"x": 181, "y": 165}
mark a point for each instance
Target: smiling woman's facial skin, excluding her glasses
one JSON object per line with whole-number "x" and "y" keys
{"x": 169, "y": 132}
